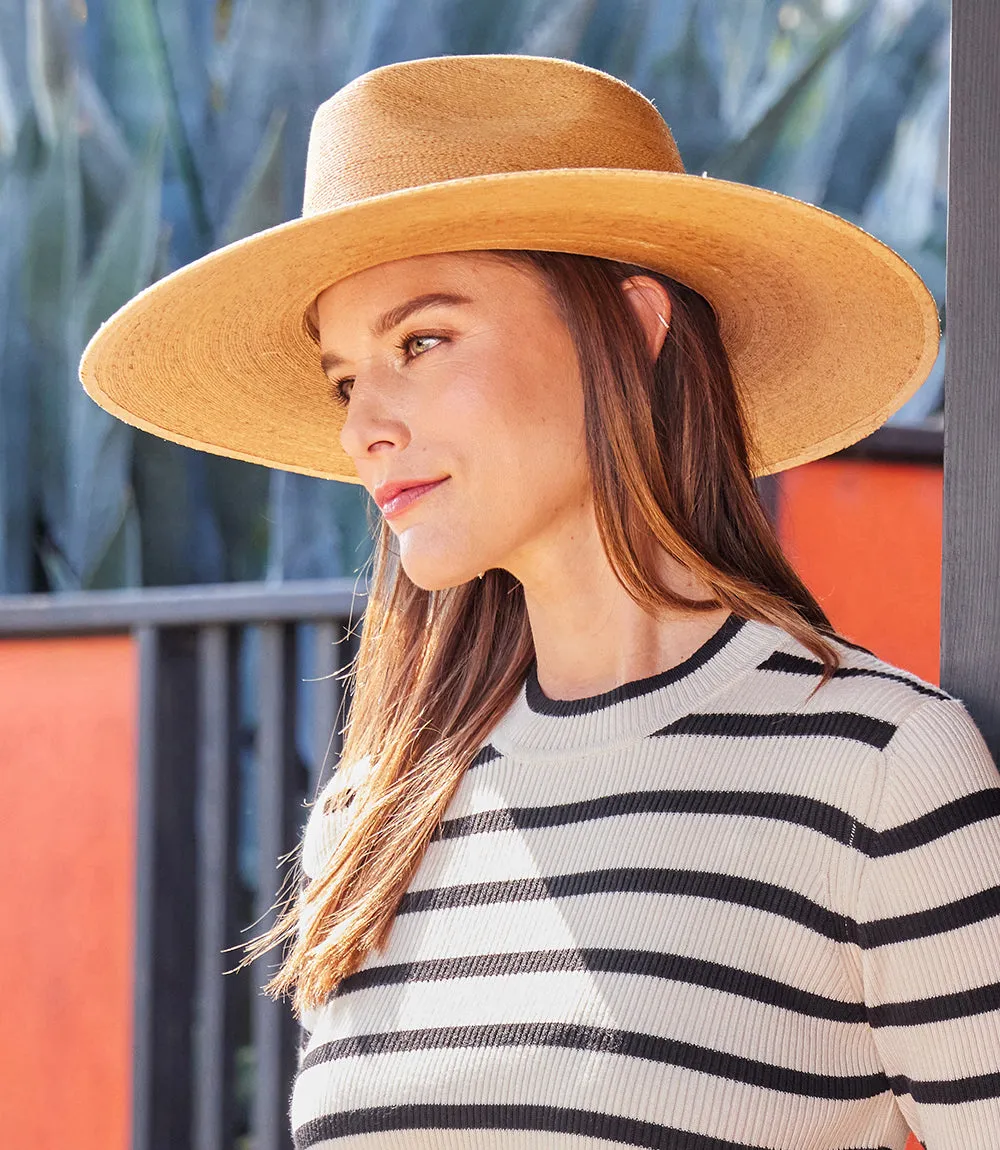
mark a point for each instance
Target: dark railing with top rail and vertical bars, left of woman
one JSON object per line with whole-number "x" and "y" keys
{"x": 241, "y": 706}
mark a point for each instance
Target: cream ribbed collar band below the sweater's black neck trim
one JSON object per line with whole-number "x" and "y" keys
{"x": 536, "y": 725}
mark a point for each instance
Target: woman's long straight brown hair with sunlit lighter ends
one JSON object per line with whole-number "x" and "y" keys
{"x": 672, "y": 469}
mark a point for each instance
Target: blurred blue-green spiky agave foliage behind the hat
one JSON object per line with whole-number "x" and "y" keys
{"x": 139, "y": 135}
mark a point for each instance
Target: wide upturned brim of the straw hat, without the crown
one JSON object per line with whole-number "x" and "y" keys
{"x": 828, "y": 331}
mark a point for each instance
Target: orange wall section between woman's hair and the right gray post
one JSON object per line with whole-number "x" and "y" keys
{"x": 867, "y": 540}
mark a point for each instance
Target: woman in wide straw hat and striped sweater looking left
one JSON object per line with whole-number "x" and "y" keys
{"x": 627, "y": 846}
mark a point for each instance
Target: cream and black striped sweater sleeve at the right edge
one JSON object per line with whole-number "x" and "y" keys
{"x": 929, "y": 929}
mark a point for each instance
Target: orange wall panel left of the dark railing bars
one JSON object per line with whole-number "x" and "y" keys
{"x": 67, "y": 858}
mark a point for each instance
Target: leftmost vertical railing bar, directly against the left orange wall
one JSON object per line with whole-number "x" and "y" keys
{"x": 148, "y": 641}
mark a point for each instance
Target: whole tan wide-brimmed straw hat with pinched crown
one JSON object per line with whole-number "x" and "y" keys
{"x": 828, "y": 331}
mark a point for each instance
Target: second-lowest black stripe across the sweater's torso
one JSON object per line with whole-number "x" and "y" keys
{"x": 604, "y": 1040}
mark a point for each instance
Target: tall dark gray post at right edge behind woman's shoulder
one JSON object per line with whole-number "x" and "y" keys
{"x": 971, "y": 597}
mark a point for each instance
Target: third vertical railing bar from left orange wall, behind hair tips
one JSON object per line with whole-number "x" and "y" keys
{"x": 274, "y": 1028}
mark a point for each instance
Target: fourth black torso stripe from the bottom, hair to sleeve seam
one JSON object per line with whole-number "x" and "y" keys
{"x": 764, "y": 896}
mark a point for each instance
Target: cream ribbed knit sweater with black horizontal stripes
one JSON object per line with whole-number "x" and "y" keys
{"x": 702, "y": 911}
